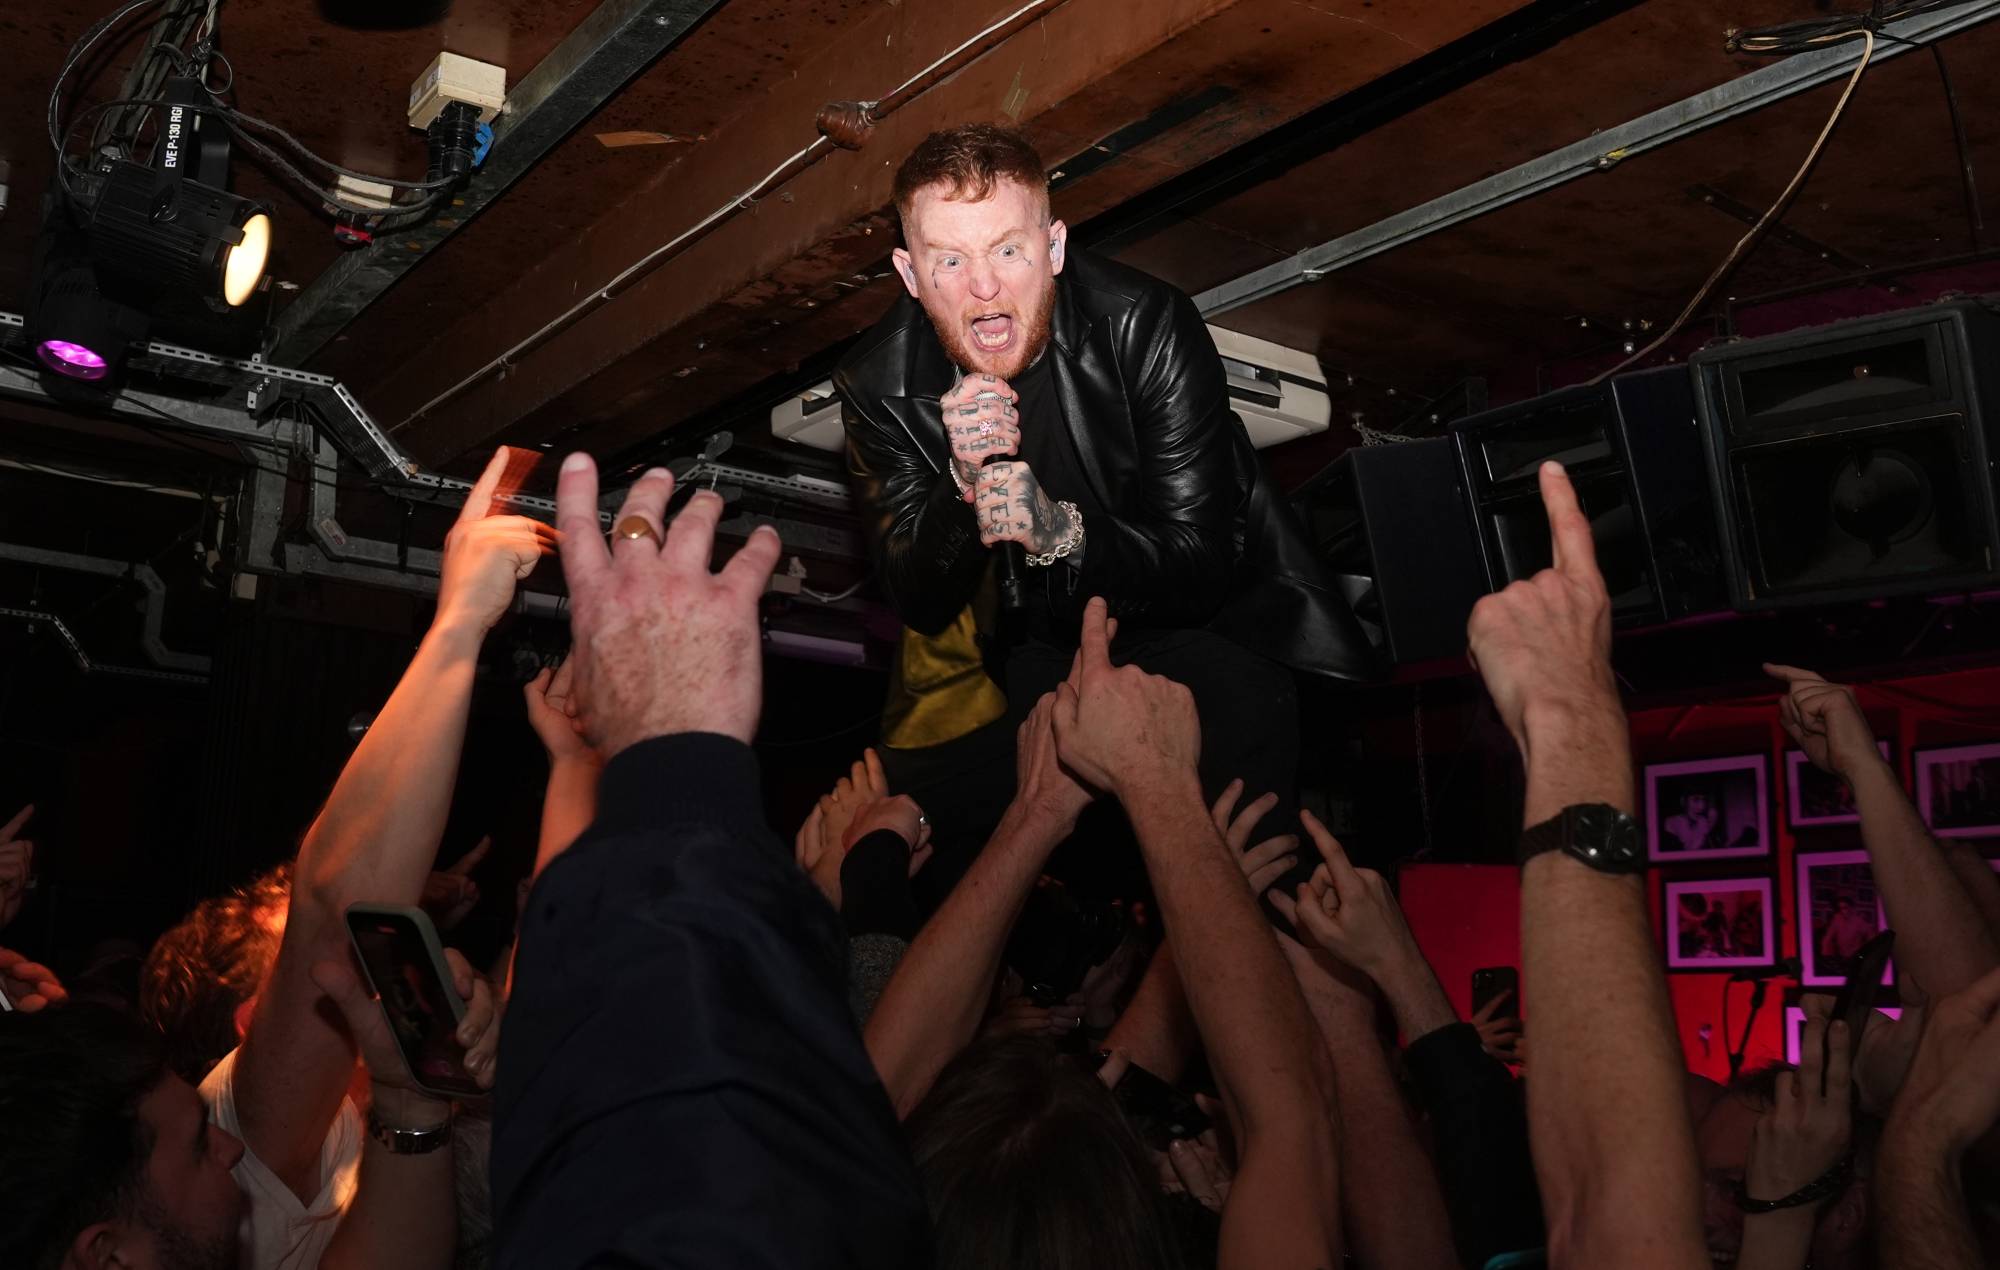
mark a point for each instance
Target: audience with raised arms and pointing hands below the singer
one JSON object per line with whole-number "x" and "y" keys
{"x": 705, "y": 1049}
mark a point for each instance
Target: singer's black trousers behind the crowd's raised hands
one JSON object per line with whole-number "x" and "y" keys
{"x": 1249, "y": 713}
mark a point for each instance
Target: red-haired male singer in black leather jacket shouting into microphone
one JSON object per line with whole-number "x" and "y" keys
{"x": 1049, "y": 399}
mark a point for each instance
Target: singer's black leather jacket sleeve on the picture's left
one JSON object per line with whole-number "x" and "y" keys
{"x": 921, "y": 533}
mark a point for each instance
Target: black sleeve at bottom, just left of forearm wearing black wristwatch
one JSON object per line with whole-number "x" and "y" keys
{"x": 1481, "y": 1143}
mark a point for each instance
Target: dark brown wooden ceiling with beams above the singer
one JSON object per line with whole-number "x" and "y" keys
{"x": 1195, "y": 139}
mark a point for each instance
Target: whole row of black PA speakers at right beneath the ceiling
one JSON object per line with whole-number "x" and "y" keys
{"x": 1831, "y": 465}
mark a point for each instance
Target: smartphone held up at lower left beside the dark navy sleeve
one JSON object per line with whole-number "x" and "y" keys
{"x": 405, "y": 967}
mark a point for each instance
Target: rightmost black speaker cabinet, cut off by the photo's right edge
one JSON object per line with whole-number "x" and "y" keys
{"x": 1853, "y": 461}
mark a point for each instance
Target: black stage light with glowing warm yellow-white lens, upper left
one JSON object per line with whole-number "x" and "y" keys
{"x": 173, "y": 235}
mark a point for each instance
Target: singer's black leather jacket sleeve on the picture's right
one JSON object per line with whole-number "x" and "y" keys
{"x": 1173, "y": 561}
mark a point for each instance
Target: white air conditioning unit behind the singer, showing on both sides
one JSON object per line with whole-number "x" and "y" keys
{"x": 1277, "y": 391}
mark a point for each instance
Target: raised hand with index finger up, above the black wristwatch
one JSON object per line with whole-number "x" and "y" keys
{"x": 1543, "y": 645}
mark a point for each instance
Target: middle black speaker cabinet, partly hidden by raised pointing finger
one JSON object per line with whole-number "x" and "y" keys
{"x": 1633, "y": 449}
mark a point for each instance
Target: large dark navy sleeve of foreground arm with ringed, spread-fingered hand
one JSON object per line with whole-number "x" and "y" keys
{"x": 681, "y": 1083}
